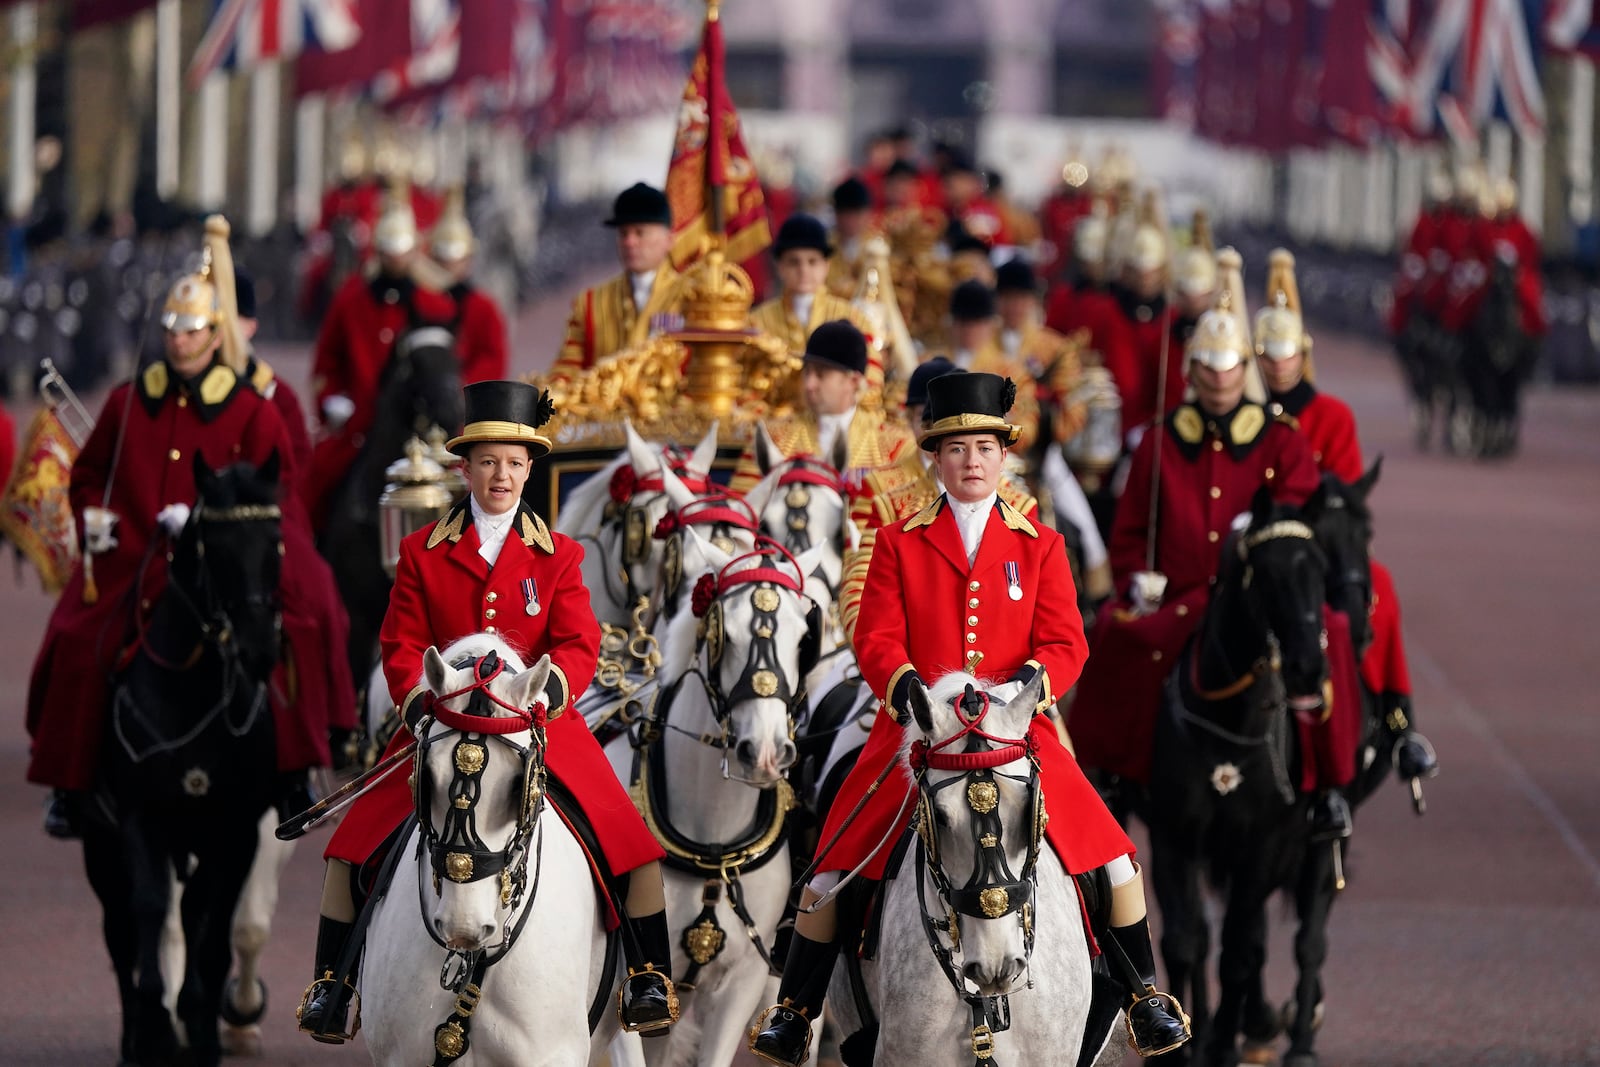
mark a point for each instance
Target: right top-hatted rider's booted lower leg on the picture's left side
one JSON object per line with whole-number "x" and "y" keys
{"x": 786, "y": 1029}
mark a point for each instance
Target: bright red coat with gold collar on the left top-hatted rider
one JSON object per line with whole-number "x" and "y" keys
{"x": 446, "y": 591}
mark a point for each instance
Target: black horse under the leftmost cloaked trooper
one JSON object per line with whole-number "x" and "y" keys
{"x": 190, "y": 764}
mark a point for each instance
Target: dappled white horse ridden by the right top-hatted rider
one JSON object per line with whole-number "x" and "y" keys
{"x": 982, "y": 911}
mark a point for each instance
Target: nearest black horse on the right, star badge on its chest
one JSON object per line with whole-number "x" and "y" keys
{"x": 1223, "y": 796}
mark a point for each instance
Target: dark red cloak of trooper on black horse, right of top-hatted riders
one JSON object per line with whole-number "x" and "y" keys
{"x": 1210, "y": 471}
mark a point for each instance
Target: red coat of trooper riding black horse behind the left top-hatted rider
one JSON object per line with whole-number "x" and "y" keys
{"x": 366, "y": 319}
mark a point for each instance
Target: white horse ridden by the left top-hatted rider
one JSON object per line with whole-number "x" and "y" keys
{"x": 538, "y": 922}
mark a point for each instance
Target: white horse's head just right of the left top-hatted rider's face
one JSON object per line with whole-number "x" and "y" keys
{"x": 614, "y": 514}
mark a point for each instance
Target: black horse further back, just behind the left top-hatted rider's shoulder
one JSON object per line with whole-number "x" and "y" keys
{"x": 418, "y": 391}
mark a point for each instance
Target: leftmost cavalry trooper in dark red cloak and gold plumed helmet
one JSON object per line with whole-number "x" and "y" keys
{"x": 196, "y": 402}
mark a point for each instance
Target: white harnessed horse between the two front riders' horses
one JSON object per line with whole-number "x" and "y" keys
{"x": 716, "y": 773}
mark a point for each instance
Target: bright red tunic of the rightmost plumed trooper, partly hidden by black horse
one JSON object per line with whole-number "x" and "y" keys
{"x": 1330, "y": 430}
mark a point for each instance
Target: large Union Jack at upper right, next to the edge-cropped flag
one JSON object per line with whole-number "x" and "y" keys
{"x": 1465, "y": 63}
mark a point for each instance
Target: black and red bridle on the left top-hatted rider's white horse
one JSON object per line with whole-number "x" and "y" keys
{"x": 455, "y": 850}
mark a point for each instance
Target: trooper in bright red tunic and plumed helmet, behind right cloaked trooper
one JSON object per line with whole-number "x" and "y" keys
{"x": 1329, "y": 428}
